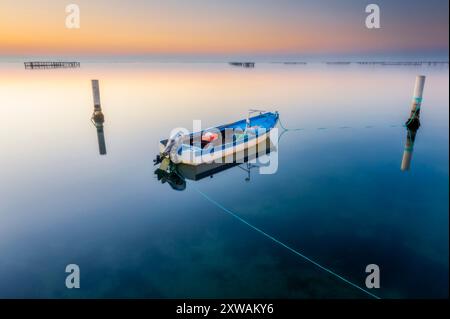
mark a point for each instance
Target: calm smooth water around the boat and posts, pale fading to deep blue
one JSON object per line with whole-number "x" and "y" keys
{"x": 338, "y": 196}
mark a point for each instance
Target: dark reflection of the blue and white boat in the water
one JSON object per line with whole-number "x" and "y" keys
{"x": 177, "y": 174}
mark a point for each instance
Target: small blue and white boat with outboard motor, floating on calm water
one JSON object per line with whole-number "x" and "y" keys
{"x": 218, "y": 144}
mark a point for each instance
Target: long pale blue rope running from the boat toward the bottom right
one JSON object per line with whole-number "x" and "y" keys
{"x": 296, "y": 252}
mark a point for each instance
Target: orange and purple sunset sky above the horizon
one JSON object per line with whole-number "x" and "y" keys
{"x": 217, "y": 27}
